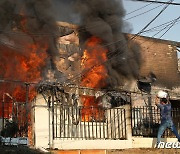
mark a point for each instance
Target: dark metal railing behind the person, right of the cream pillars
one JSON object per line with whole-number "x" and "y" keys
{"x": 146, "y": 120}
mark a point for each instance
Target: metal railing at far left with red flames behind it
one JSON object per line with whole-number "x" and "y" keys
{"x": 13, "y": 119}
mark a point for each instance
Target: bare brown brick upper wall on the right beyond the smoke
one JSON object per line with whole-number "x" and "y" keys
{"x": 159, "y": 57}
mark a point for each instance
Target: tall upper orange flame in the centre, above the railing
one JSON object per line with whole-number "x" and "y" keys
{"x": 92, "y": 62}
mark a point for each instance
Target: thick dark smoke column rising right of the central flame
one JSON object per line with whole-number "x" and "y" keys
{"x": 104, "y": 19}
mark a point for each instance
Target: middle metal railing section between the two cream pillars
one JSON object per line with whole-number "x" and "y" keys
{"x": 73, "y": 122}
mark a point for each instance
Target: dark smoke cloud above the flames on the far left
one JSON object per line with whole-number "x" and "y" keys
{"x": 24, "y": 23}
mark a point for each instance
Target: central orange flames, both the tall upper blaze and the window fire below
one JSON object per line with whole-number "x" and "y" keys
{"x": 94, "y": 76}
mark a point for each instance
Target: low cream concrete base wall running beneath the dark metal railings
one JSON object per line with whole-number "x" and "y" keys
{"x": 135, "y": 142}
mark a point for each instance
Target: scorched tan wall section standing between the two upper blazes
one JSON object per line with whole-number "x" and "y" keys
{"x": 68, "y": 61}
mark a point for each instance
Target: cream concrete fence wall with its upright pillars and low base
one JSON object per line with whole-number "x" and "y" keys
{"x": 41, "y": 128}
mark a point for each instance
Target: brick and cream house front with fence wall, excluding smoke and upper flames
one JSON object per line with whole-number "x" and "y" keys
{"x": 57, "y": 124}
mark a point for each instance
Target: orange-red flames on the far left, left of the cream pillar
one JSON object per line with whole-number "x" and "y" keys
{"x": 25, "y": 66}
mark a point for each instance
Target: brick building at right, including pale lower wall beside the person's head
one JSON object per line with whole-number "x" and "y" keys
{"x": 159, "y": 60}
